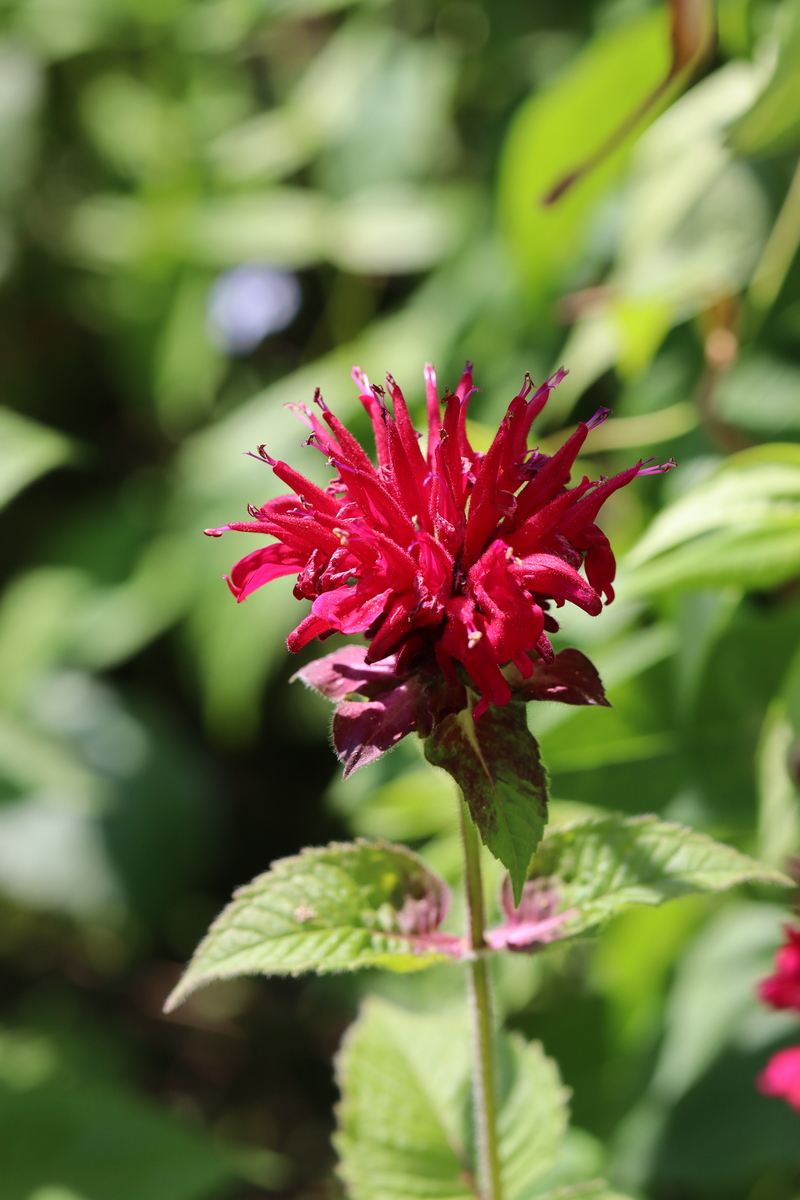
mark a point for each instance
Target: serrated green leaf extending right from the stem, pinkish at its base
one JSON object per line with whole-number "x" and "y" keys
{"x": 598, "y": 868}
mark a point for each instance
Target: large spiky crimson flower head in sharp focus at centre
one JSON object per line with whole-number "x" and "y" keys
{"x": 443, "y": 557}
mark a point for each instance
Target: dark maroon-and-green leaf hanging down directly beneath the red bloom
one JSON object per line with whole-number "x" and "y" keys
{"x": 496, "y": 764}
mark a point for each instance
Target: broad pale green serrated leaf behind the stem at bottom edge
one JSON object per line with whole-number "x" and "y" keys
{"x": 405, "y": 1119}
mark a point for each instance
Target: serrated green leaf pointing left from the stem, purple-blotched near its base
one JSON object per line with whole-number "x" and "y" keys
{"x": 332, "y": 909}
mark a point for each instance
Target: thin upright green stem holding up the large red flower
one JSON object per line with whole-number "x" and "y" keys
{"x": 485, "y": 1091}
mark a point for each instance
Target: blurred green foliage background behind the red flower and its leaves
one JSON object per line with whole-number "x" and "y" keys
{"x": 153, "y": 757}
